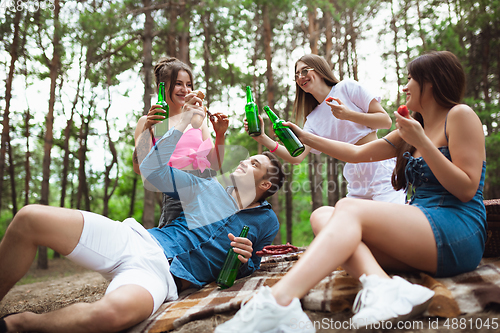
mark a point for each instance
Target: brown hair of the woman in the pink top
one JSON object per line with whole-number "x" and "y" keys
{"x": 166, "y": 70}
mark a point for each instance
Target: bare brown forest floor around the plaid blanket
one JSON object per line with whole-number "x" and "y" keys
{"x": 65, "y": 283}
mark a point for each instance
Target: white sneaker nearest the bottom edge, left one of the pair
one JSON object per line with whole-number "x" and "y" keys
{"x": 262, "y": 314}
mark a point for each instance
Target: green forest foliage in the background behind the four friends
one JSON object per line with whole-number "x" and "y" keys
{"x": 227, "y": 54}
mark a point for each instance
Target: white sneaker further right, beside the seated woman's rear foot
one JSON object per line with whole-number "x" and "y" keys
{"x": 388, "y": 299}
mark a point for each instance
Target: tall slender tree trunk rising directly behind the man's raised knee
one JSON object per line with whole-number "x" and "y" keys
{"x": 54, "y": 73}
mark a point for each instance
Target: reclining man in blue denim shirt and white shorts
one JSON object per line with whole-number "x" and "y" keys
{"x": 136, "y": 260}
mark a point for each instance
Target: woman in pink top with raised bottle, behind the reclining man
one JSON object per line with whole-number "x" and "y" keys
{"x": 195, "y": 153}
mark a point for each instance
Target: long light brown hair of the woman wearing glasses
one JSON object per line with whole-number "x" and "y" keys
{"x": 305, "y": 102}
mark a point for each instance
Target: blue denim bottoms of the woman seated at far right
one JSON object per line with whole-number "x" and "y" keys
{"x": 459, "y": 229}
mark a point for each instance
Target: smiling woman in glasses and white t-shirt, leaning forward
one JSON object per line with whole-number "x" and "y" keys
{"x": 343, "y": 111}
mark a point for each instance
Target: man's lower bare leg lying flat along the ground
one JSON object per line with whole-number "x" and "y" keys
{"x": 118, "y": 310}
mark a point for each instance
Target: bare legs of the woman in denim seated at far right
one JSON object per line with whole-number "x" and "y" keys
{"x": 401, "y": 232}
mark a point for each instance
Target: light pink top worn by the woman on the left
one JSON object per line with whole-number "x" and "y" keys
{"x": 191, "y": 149}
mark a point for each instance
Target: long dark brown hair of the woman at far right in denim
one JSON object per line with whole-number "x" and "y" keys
{"x": 447, "y": 77}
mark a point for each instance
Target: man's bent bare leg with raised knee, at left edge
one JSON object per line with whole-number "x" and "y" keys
{"x": 34, "y": 225}
